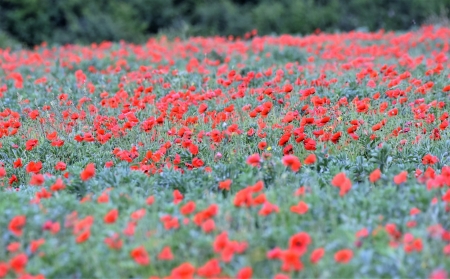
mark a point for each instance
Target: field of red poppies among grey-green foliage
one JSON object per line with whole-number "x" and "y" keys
{"x": 322, "y": 156}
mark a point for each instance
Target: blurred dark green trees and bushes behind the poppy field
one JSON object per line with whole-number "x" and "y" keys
{"x": 31, "y": 22}
